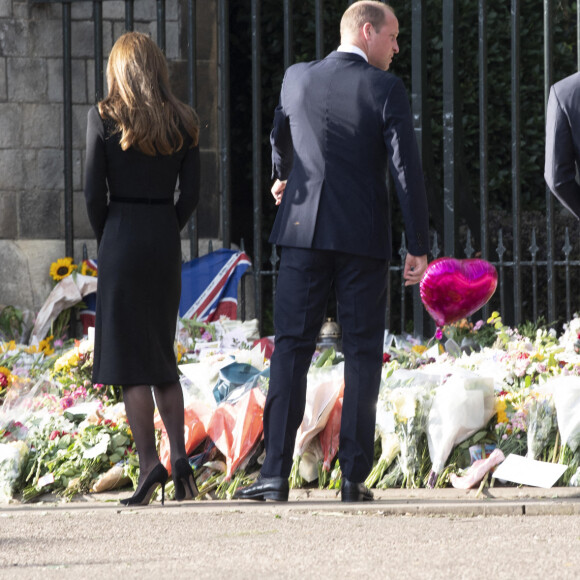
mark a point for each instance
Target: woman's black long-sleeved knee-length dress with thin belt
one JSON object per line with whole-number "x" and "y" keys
{"x": 139, "y": 258}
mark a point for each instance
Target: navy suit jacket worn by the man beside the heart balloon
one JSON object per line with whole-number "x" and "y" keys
{"x": 339, "y": 124}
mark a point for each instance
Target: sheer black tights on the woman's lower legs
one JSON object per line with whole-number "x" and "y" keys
{"x": 140, "y": 409}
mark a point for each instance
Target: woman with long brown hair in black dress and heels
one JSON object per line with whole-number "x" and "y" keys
{"x": 140, "y": 140}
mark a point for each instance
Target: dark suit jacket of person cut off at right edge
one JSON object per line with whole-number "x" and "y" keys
{"x": 563, "y": 142}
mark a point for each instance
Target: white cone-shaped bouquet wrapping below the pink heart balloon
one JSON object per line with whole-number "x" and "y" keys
{"x": 461, "y": 406}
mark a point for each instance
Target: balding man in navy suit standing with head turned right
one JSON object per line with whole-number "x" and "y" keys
{"x": 341, "y": 121}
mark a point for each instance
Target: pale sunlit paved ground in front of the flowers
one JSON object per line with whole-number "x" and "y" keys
{"x": 516, "y": 532}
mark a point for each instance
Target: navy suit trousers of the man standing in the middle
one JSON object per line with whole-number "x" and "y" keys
{"x": 304, "y": 284}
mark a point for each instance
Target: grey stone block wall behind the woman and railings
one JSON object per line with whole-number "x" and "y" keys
{"x": 32, "y": 219}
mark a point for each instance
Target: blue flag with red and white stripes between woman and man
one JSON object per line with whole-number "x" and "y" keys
{"x": 209, "y": 285}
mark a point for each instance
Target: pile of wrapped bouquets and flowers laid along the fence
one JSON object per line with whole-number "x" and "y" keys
{"x": 449, "y": 410}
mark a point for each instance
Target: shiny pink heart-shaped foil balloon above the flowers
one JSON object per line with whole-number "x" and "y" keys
{"x": 452, "y": 289}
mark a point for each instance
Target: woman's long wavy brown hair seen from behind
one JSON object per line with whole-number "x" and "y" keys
{"x": 140, "y": 102}
